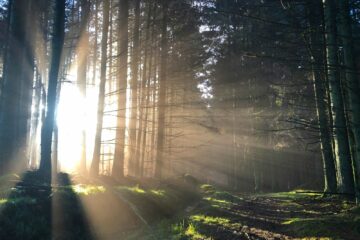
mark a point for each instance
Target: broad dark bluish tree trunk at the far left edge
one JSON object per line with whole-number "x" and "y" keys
{"x": 16, "y": 88}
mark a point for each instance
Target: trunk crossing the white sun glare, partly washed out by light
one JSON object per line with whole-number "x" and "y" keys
{"x": 82, "y": 58}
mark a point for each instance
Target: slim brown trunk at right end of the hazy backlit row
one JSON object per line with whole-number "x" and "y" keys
{"x": 162, "y": 92}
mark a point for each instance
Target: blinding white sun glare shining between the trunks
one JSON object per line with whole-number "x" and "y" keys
{"x": 75, "y": 115}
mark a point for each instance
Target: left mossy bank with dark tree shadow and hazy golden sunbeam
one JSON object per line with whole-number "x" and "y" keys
{"x": 75, "y": 207}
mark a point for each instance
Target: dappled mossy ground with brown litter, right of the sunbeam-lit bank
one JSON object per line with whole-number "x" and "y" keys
{"x": 288, "y": 215}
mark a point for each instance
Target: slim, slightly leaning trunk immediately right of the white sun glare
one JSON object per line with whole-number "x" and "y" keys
{"x": 94, "y": 168}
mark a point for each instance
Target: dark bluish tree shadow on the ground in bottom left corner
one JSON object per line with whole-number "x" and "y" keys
{"x": 33, "y": 209}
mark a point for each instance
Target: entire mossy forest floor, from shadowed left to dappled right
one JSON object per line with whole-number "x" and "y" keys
{"x": 80, "y": 208}
